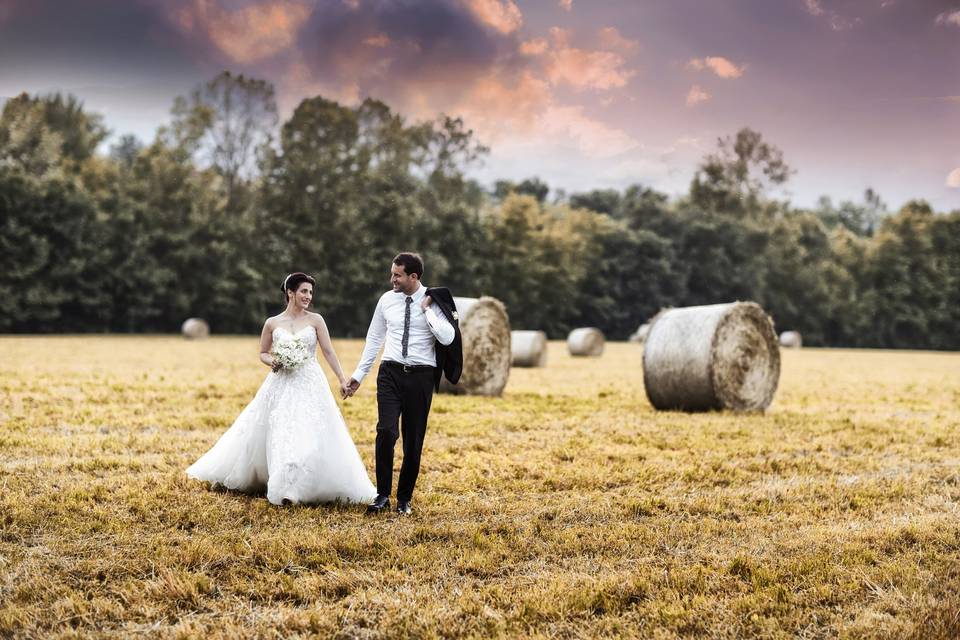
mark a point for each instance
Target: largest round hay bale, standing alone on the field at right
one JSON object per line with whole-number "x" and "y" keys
{"x": 722, "y": 356}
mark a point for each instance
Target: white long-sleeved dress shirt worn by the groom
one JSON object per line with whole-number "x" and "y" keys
{"x": 387, "y": 326}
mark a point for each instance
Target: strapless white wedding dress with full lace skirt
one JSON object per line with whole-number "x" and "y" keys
{"x": 290, "y": 440}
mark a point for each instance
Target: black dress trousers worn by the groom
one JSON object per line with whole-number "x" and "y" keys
{"x": 403, "y": 404}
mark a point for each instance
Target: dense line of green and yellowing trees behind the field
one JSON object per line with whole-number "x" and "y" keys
{"x": 207, "y": 219}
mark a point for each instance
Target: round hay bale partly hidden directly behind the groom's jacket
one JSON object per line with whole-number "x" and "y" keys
{"x": 485, "y": 329}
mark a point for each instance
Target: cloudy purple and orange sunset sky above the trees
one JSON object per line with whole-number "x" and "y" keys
{"x": 582, "y": 94}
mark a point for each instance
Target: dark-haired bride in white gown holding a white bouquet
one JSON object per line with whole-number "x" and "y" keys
{"x": 291, "y": 439}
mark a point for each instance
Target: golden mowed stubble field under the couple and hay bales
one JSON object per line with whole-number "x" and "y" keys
{"x": 567, "y": 508}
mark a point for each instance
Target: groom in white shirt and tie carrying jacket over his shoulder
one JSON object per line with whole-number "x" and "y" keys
{"x": 409, "y": 324}
